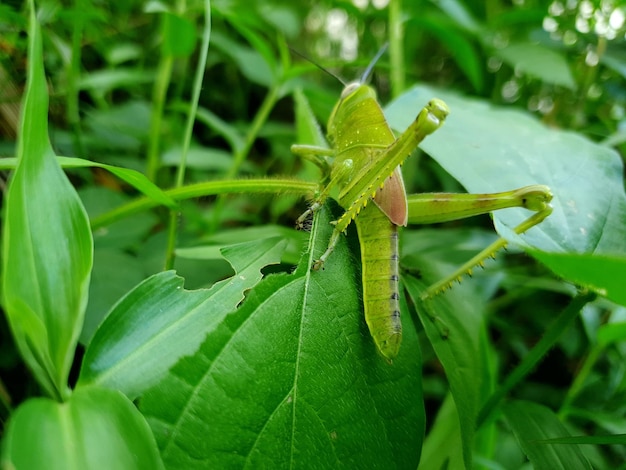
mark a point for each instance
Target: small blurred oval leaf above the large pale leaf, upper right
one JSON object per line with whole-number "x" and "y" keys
{"x": 538, "y": 61}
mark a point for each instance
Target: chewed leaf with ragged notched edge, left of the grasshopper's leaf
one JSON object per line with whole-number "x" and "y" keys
{"x": 158, "y": 322}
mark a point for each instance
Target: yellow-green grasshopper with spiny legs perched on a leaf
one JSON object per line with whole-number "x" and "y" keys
{"x": 363, "y": 164}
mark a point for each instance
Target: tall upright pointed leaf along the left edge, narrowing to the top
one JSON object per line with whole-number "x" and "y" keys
{"x": 47, "y": 245}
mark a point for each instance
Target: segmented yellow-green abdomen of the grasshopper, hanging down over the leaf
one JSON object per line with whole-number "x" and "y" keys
{"x": 378, "y": 238}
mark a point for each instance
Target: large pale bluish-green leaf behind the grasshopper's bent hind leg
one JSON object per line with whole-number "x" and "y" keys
{"x": 491, "y": 150}
